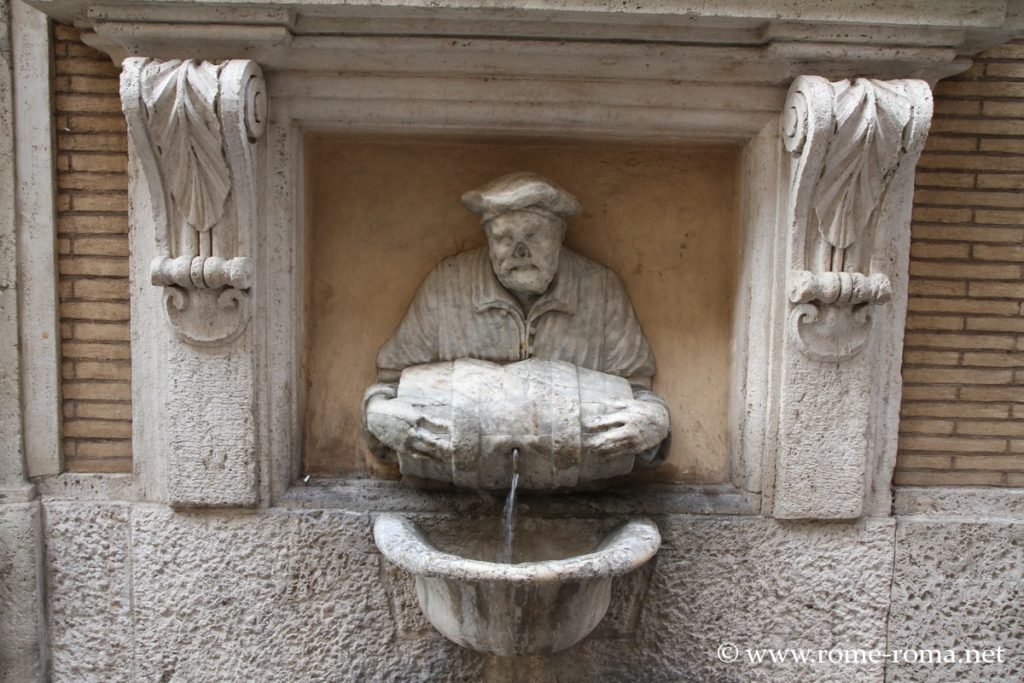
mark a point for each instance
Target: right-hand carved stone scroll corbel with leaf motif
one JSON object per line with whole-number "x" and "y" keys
{"x": 847, "y": 141}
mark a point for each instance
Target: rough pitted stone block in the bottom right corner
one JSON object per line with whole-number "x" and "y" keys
{"x": 959, "y": 585}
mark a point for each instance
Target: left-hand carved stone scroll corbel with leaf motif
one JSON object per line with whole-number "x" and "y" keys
{"x": 194, "y": 126}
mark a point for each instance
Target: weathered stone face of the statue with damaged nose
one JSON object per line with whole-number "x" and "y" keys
{"x": 525, "y": 249}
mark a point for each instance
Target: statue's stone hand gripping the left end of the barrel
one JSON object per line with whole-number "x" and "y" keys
{"x": 406, "y": 428}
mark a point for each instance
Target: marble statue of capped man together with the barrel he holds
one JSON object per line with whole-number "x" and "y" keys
{"x": 521, "y": 346}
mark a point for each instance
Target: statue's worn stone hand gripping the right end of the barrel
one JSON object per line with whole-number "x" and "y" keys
{"x": 625, "y": 428}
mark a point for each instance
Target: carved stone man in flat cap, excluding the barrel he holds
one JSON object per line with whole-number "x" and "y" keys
{"x": 524, "y": 296}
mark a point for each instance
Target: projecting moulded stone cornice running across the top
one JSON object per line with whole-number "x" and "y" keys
{"x": 919, "y": 38}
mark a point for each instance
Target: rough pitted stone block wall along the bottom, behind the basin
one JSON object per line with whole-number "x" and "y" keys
{"x": 140, "y": 592}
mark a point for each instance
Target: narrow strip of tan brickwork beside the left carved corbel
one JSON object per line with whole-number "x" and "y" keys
{"x": 93, "y": 243}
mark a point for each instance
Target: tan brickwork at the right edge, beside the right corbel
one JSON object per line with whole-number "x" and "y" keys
{"x": 963, "y": 413}
